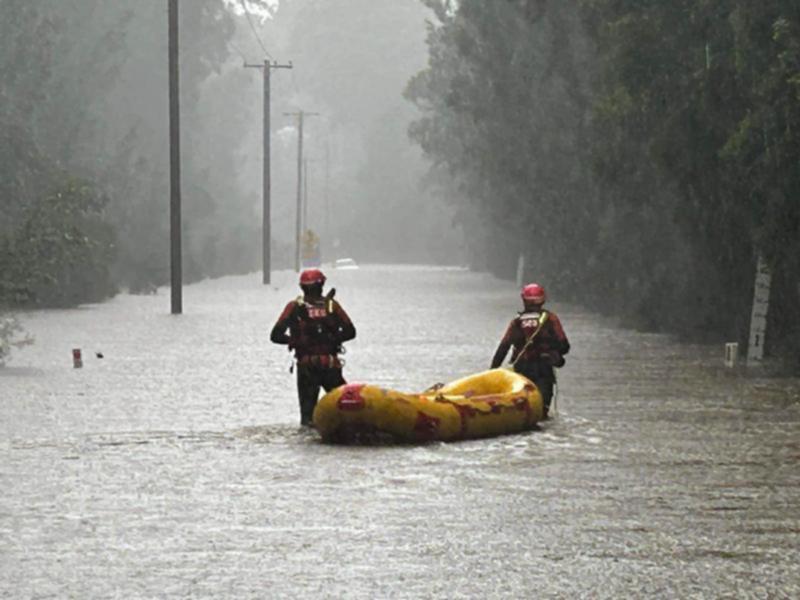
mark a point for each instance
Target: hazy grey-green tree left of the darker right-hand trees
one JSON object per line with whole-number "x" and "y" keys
{"x": 505, "y": 103}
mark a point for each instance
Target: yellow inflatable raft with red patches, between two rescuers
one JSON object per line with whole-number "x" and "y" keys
{"x": 487, "y": 404}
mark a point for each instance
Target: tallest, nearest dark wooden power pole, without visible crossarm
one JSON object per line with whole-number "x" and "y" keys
{"x": 176, "y": 270}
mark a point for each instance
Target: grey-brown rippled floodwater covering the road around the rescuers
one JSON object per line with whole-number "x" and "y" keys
{"x": 174, "y": 466}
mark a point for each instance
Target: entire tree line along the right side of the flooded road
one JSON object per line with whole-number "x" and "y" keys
{"x": 640, "y": 155}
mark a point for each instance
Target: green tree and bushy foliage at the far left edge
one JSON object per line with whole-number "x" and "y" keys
{"x": 55, "y": 245}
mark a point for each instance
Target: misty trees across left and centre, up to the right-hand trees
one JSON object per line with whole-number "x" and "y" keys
{"x": 83, "y": 121}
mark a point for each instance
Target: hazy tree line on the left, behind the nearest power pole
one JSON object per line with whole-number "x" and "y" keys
{"x": 83, "y": 160}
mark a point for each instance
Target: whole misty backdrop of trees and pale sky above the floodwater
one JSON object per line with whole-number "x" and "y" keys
{"x": 640, "y": 157}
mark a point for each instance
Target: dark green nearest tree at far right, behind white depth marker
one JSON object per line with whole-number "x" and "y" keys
{"x": 701, "y": 93}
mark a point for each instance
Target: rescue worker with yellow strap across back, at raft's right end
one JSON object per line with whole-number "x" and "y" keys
{"x": 538, "y": 340}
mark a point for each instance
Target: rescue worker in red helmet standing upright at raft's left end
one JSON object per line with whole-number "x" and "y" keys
{"x": 317, "y": 327}
